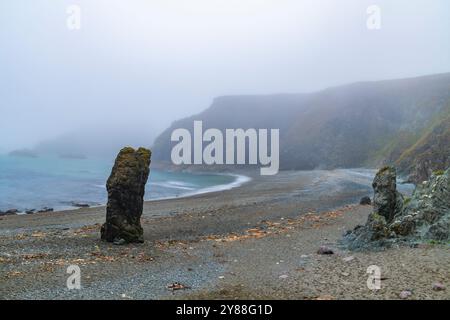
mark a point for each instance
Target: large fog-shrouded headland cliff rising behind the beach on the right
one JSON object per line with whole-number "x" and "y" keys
{"x": 362, "y": 124}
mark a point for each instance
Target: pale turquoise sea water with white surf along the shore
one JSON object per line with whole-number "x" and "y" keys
{"x": 46, "y": 181}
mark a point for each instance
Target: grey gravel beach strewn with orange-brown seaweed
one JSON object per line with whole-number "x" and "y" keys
{"x": 256, "y": 241}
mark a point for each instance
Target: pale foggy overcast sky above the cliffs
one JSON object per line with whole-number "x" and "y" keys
{"x": 149, "y": 62}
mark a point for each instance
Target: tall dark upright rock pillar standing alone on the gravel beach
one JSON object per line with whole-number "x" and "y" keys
{"x": 126, "y": 188}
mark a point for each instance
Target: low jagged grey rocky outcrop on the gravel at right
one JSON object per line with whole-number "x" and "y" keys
{"x": 424, "y": 216}
